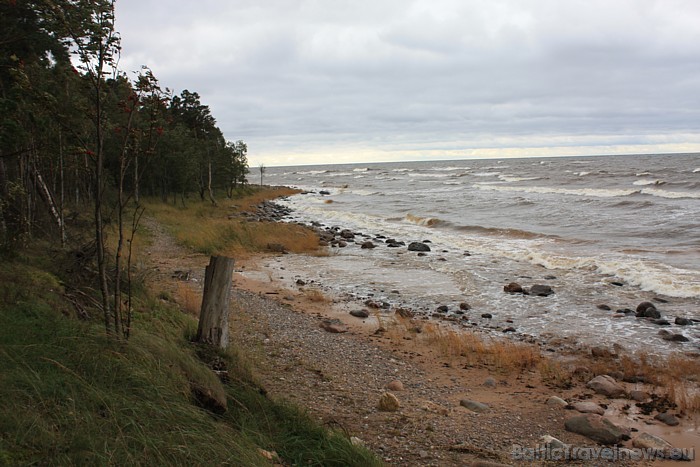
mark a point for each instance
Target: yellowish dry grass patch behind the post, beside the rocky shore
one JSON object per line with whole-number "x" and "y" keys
{"x": 217, "y": 230}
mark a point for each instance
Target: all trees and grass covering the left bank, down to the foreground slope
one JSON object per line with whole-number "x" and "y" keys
{"x": 95, "y": 366}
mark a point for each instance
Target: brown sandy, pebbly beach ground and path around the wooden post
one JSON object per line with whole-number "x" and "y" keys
{"x": 339, "y": 377}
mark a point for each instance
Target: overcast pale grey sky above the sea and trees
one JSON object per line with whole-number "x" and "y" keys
{"x": 335, "y": 81}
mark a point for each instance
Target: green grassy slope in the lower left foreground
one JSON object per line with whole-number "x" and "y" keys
{"x": 71, "y": 395}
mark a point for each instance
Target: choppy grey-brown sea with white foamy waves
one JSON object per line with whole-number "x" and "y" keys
{"x": 603, "y": 230}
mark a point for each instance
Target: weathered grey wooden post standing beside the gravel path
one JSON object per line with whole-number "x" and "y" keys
{"x": 213, "y": 319}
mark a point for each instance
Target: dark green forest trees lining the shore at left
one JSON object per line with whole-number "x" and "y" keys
{"x": 77, "y": 131}
